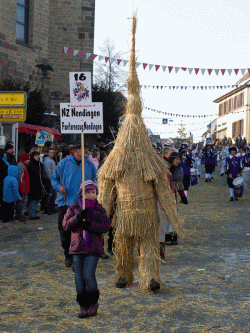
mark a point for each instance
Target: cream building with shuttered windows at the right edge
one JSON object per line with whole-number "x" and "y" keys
{"x": 233, "y": 113}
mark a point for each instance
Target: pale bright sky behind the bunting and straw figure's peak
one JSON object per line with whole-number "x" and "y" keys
{"x": 183, "y": 33}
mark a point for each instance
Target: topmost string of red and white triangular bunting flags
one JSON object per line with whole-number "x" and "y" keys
{"x": 165, "y": 69}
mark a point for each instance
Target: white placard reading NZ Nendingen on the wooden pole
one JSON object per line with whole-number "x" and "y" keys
{"x": 81, "y": 118}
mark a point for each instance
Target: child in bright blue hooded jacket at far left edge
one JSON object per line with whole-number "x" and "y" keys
{"x": 10, "y": 193}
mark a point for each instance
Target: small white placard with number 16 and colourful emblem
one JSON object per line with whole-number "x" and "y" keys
{"x": 80, "y": 87}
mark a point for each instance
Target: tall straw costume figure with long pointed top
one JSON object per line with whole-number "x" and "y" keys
{"x": 132, "y": 179}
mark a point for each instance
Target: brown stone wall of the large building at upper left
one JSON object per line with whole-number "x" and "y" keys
{"x": 52, "y": 25}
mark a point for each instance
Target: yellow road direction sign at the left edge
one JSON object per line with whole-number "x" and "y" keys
{"x": 13, "y": 105}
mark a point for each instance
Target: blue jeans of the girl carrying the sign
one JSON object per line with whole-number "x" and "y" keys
{"x": 85, "y": 268}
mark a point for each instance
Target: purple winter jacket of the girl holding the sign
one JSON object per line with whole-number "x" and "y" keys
{"x": 99, "y": 224}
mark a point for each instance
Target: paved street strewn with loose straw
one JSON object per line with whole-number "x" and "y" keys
{"x": 206, "y": 276}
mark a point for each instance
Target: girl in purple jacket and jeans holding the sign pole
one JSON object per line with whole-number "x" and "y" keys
{"x": 87, "y": 227}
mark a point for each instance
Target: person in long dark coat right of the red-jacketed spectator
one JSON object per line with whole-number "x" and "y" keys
{"x": 35, "y": 195}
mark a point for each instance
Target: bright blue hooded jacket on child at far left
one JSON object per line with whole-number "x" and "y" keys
{"x": 11, "y": 185}
